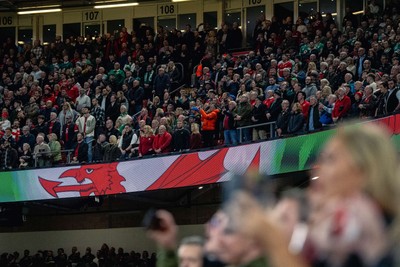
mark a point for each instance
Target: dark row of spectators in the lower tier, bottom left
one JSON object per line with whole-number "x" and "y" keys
{"x": 104, "y": 257}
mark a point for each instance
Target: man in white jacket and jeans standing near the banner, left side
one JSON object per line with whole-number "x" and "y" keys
{"x": 86, "y": 125}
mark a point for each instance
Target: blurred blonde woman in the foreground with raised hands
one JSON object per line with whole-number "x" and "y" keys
{"x": 353, "y": 201}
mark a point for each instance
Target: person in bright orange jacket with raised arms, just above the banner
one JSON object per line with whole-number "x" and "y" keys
{"x": 209, "y": 117}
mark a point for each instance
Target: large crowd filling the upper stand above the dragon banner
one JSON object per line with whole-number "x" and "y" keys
{"x": 104, "y": 98}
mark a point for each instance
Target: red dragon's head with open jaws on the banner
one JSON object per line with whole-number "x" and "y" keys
{"x": 104, "y": 180}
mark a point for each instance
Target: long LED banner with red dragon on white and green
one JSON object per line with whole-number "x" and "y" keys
{"x": 190, "y": 169}
